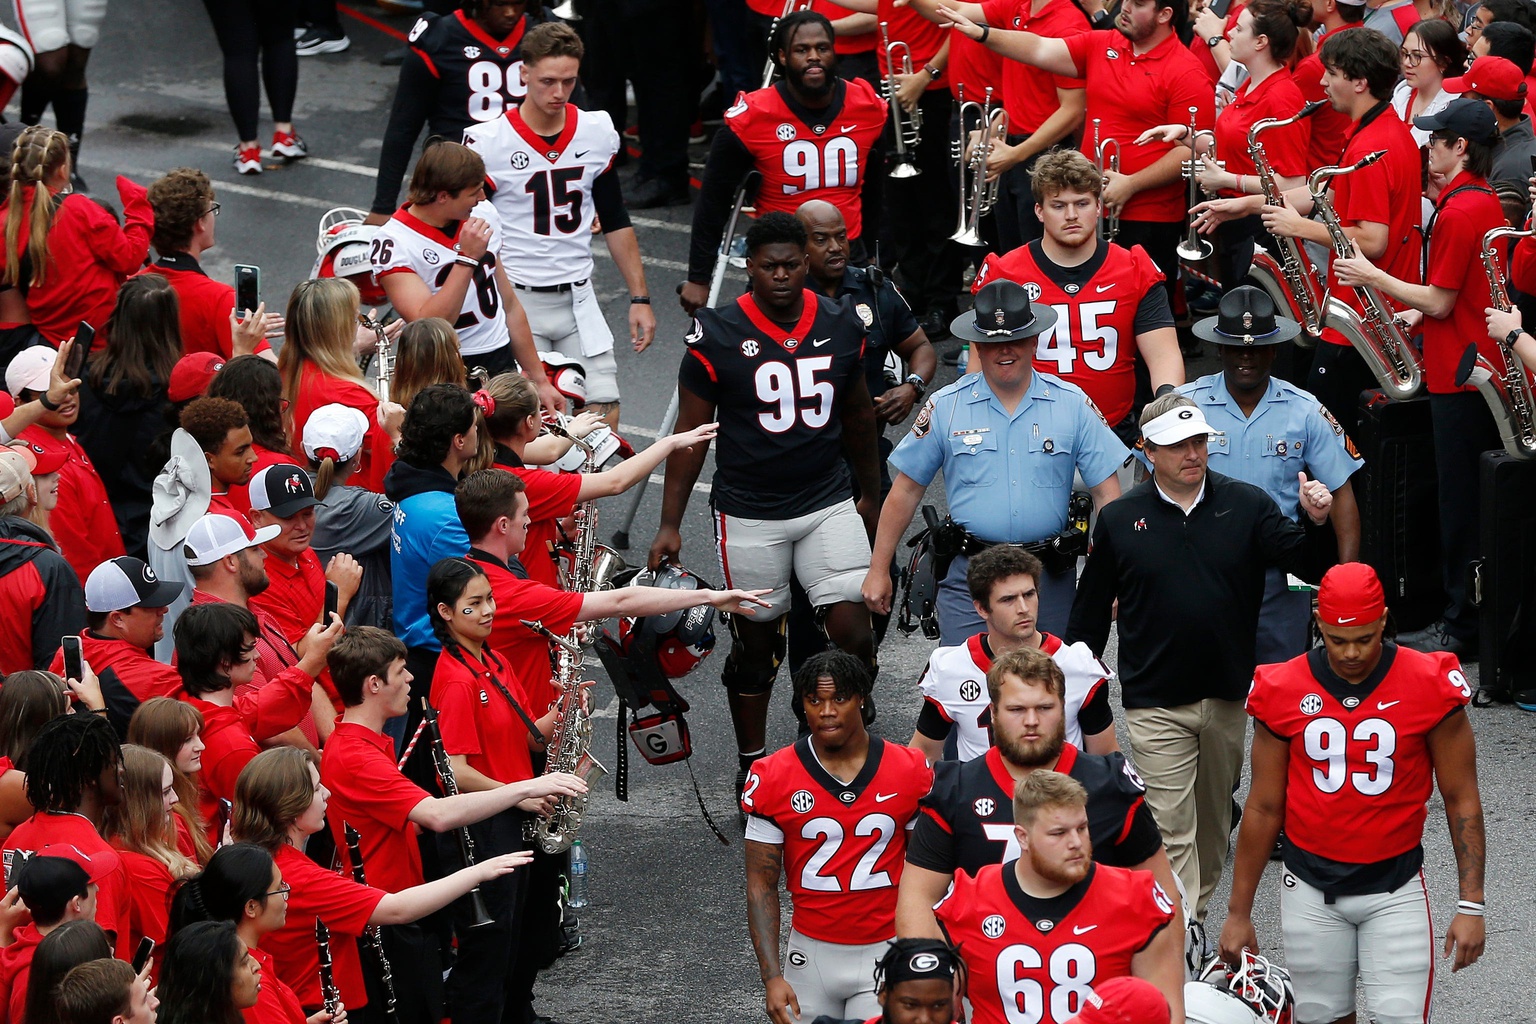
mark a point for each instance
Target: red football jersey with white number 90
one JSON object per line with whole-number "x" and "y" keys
{"x": 801, "y": 164}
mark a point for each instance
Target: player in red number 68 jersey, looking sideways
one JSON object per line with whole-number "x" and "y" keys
{"x": 1039, "y": 933}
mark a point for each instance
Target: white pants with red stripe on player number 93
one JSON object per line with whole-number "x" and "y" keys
{"x": 1386, "y": 940}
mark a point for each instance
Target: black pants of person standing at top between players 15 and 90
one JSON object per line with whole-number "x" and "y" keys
{"x": 637, "y": 41}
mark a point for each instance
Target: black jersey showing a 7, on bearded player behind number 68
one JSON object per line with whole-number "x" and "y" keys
{"x": 968, "y": 819}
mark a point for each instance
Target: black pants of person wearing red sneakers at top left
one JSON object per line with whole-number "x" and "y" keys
{"x": 253, "y": 31}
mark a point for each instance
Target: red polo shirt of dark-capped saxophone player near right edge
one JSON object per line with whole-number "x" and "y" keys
{"x": 1462, "y": 217}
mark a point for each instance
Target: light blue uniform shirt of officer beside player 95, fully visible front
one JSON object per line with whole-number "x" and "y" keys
{"x": 1008, "y": 478}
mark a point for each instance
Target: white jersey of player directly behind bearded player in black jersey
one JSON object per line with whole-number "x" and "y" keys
{"x": 955, "y": 682}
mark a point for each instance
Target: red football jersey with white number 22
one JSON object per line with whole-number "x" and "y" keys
{"x": 844, "y": 847}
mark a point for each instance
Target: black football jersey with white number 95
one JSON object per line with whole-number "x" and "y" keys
{"x": 778, "y": 394}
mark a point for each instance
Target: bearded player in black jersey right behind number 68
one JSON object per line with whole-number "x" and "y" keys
{"x": 968, "y": 819}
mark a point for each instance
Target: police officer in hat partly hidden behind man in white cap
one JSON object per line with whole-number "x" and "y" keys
{"x": 1266, "y": 432}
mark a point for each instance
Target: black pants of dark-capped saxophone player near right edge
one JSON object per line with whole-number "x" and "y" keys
{"x": 1465, "y": 429}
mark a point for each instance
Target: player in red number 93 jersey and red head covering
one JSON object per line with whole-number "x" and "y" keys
{"x": 1359, "y": 733}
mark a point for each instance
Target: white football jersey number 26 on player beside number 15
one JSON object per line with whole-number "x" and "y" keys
{"x": 406, "y": 243}
